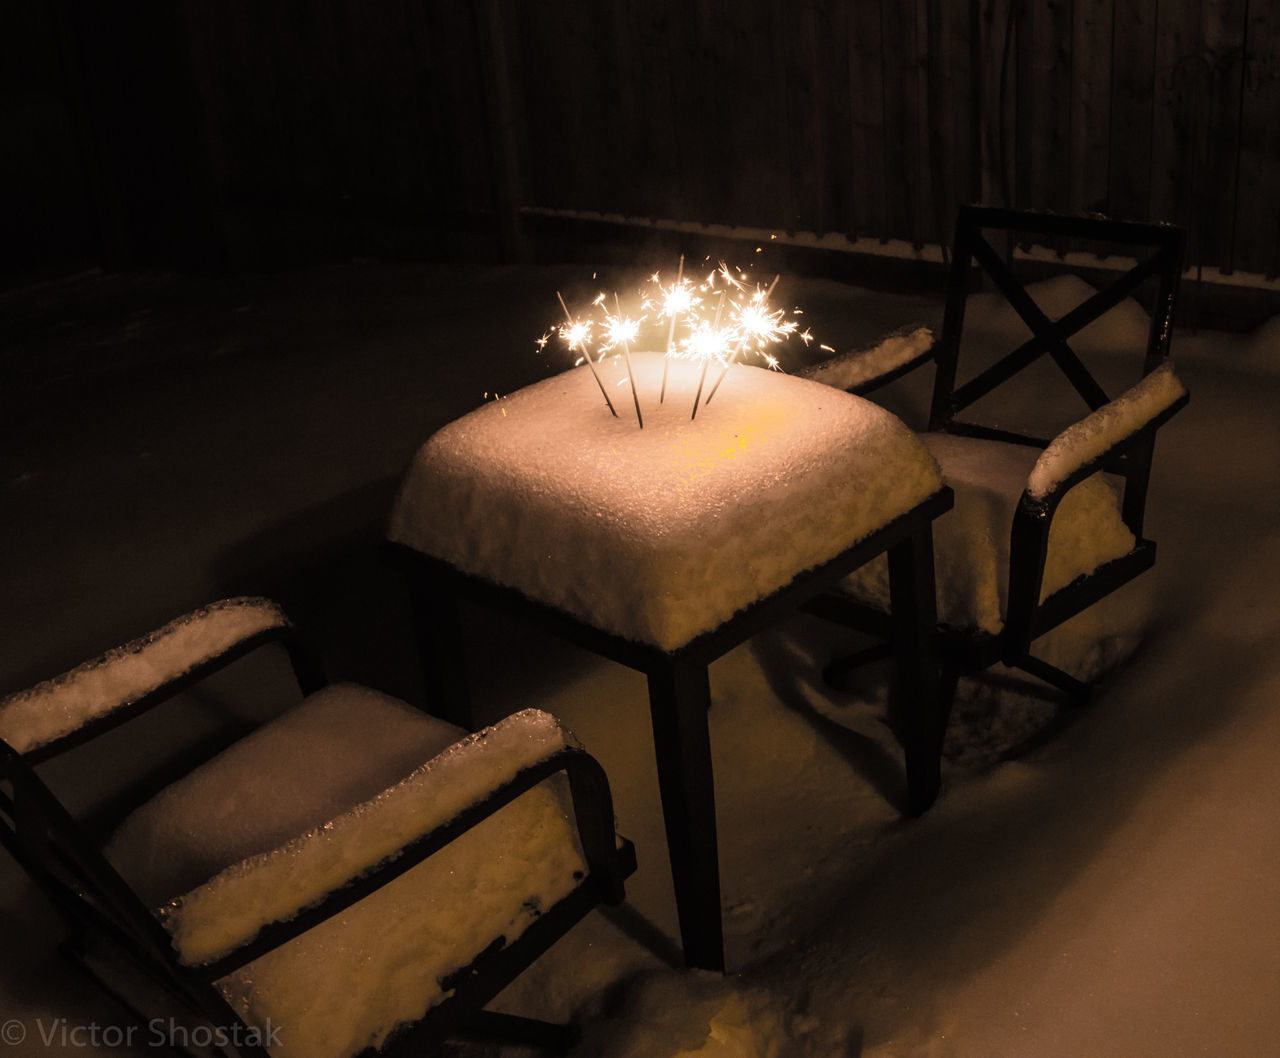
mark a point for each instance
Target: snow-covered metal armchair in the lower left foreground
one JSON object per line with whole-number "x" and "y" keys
{"x": 353, "y": 874}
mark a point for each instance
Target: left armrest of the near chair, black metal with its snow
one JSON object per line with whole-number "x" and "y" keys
{"x": 75, "y": 707}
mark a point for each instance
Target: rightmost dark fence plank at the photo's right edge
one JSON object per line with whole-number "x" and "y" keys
{"x": 1256, "y": 242}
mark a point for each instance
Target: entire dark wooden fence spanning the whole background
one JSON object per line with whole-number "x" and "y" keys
{"x": 349, "y": 126}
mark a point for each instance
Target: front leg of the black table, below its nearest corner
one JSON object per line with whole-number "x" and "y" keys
{"x": 679, "y": 699}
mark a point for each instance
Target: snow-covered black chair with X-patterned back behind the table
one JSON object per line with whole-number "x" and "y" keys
{"x": 1031, "y": 511}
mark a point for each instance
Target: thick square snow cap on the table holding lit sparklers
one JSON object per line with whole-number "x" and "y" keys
{"x": 659, "y": 534}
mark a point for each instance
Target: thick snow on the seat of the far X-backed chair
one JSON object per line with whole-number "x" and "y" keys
{"x": 972, "y": 541}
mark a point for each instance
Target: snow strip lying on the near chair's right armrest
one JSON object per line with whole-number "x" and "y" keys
{"x": 228, "y": 912}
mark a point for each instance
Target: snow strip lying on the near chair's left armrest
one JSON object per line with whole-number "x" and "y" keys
{"x": 120, "y": 677}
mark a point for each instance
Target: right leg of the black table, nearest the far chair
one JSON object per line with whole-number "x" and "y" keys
{"x": 917, "y": 711}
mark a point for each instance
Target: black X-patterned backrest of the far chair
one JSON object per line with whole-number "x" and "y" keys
{"x": 1159, "y": 249}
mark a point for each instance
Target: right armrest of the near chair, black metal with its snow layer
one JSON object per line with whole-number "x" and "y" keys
{"x": 268, "y": 900}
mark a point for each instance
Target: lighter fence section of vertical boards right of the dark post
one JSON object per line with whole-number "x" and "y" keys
{"x": 877, "y": 117}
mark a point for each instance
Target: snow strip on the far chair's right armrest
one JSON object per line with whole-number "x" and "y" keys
{"x": 1085, "y": 442}
